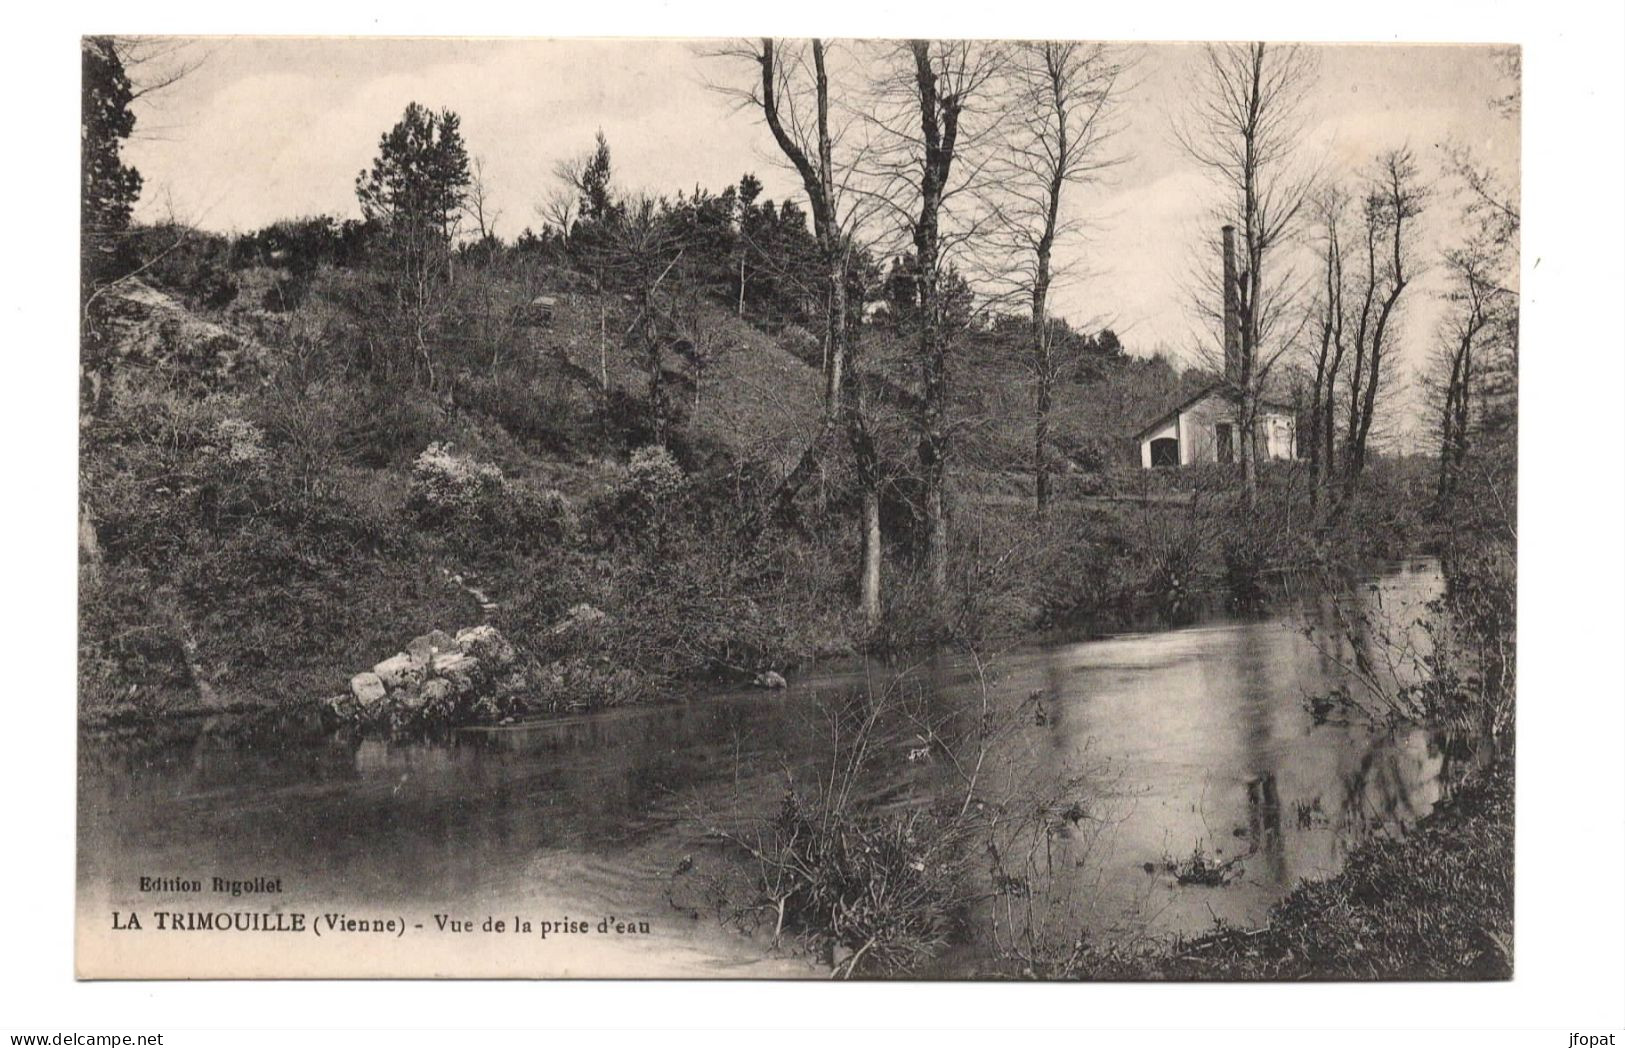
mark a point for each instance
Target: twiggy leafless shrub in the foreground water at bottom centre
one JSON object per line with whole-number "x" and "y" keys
{"x": 872, "y": 886}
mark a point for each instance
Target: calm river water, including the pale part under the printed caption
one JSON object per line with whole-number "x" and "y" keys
{"x": 1187, "y": 740}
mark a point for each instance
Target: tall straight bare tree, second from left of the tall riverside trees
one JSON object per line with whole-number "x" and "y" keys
{"x": 934, "y": 124}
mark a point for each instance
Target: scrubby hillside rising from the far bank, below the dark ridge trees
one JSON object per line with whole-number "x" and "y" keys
{"x": 288, "y": 474}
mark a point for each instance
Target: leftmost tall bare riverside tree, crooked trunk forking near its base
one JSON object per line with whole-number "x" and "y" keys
{"x": 792, "y": 92}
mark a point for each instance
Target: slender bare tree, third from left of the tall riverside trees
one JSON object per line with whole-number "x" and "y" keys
{"x": 1060, "y": 102}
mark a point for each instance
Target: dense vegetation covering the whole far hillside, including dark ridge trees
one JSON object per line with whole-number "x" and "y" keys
{"x": 310, "y": 443}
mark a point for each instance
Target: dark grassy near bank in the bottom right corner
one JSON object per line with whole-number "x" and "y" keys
{"x": 1434, "y": 906}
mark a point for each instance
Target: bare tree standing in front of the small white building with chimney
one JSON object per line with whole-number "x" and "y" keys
{"x": 1246, "y": 128}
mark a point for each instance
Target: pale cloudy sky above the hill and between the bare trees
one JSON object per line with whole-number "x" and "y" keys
{"x": 279, "y": 128}
